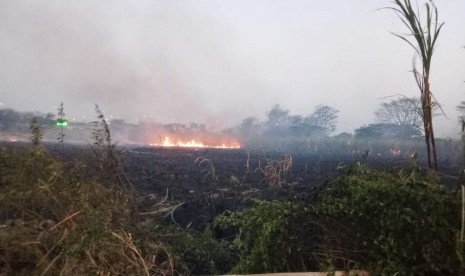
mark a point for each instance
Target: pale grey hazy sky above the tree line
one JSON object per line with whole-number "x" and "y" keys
{"x": 219, "y": 60}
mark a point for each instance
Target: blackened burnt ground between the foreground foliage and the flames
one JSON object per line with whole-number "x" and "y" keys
{"x": 207, "y": 182}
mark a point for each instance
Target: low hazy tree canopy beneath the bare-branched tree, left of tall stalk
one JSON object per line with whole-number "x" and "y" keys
{"x": 385, "y": 131}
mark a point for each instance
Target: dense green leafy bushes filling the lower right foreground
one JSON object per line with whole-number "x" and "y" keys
{"x": 389, "y": 223}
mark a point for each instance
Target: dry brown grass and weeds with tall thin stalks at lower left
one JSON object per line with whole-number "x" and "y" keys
{"x": 82, "y": 218}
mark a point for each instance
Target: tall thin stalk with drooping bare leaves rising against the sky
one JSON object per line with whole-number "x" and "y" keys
{"x": 423, "y": 42}
